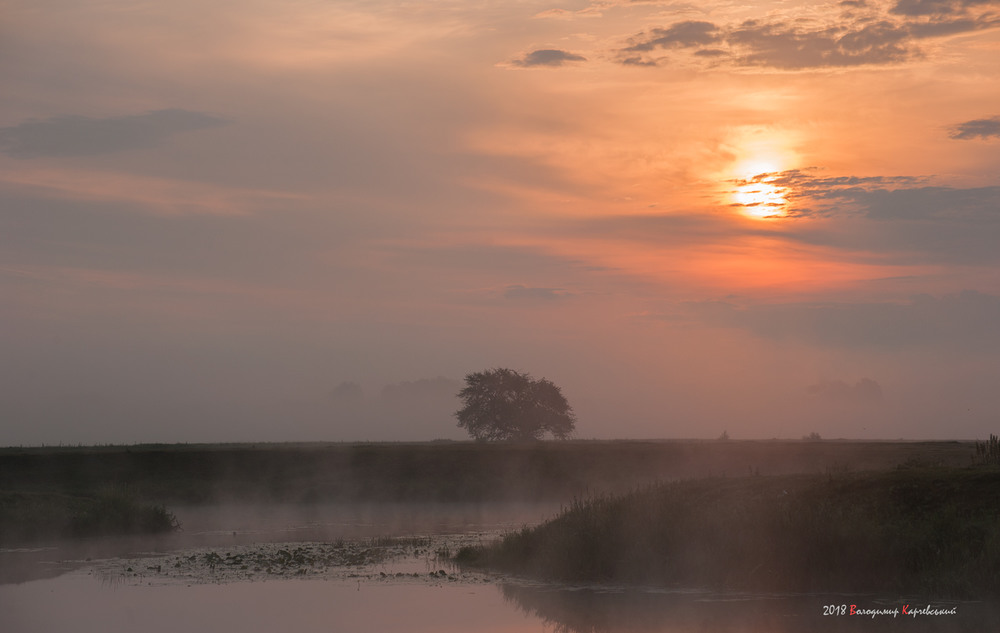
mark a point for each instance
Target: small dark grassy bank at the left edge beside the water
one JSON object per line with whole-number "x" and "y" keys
{"x": 41, "y": 516}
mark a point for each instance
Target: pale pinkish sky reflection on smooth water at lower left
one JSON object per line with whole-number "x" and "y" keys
{"x": 81, "y": 604}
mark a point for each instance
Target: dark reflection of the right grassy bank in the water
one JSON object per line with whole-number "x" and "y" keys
{"x": 602, "y": 610}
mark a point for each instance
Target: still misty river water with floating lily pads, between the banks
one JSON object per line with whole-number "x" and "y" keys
{"x": 130, "y": 590}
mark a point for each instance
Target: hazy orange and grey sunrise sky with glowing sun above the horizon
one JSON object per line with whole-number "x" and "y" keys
{"x": 309, "y": 220}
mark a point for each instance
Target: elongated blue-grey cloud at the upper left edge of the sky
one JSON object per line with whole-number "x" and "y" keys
{"x": 87, "y": 136}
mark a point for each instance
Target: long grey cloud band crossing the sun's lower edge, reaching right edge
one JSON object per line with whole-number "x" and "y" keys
{"x": 872, "y": 221}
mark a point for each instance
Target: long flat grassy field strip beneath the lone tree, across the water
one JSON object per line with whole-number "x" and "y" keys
{"x": 439, "y": 471}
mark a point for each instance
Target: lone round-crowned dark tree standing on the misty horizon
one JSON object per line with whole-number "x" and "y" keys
{"x": 502, "y": 404}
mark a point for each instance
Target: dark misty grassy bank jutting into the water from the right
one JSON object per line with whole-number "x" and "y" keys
{"x": 929, "y": 530}
